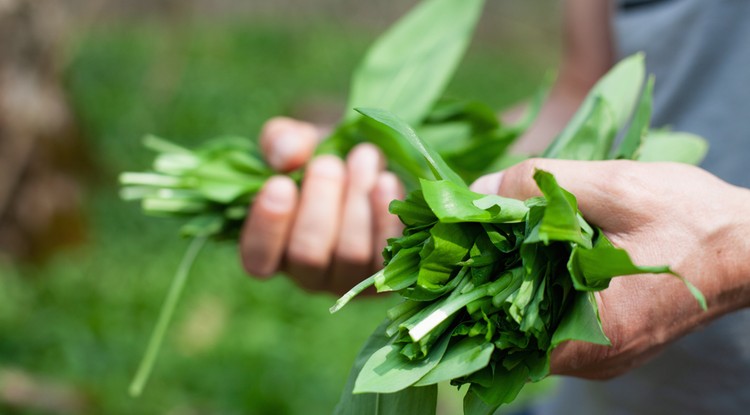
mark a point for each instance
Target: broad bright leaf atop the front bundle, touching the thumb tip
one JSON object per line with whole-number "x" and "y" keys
{"x": 454, "y": 203}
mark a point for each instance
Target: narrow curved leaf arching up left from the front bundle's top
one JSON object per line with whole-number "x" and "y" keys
{"x": 437, "y": 164}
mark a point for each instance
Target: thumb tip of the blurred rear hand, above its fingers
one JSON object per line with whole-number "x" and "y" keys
{"x": 288, "y": 144}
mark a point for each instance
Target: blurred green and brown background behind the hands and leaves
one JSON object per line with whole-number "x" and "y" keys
{"x": 83, "y": 274}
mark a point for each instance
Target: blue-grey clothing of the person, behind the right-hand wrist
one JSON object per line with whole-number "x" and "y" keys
{"x": 699, "y": 51}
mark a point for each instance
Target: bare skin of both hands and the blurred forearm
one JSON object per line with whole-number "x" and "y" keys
{"x": 329, "y": 235}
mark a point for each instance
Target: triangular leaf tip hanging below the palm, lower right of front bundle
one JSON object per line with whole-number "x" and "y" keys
{"x": 581, "y": 322}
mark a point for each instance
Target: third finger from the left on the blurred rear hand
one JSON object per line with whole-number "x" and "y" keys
{"x": 353, "y": 254}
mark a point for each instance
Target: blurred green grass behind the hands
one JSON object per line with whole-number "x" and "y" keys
{"x": 237, "y": 345}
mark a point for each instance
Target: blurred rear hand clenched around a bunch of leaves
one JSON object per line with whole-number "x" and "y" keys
{"x": 328, "y": 236}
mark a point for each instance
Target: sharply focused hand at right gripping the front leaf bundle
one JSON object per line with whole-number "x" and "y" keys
{"x": 661, "y": 213}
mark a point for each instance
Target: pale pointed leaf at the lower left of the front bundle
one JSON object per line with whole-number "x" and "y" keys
{"x": 387, "y": 370}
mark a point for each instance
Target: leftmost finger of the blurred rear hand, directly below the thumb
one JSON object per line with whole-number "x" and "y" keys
{"x": 266, "y": 229}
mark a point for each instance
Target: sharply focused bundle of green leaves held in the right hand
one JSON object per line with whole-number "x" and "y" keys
{"x": 492, "y": 285}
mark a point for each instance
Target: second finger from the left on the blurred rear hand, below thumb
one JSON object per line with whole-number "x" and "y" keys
{"x": 316, "y": 226}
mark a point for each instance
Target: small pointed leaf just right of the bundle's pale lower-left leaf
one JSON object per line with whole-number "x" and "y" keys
{"x": 461, "y": 359}
